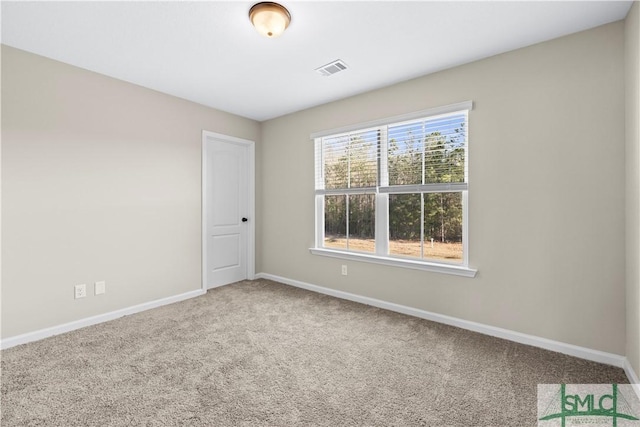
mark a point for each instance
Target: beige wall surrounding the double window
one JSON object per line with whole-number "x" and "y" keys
{"x": 546, "y": 197}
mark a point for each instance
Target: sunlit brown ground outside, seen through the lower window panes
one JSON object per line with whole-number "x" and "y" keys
{"x": 411, "y": 248}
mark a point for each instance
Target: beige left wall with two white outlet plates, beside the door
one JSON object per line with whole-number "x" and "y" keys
{"x": 100, "y": 181}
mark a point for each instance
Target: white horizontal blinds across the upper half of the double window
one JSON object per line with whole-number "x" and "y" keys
{"x": 427, "y": 154}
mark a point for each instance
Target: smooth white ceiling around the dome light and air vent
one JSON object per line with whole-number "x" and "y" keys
{"x": 209, "y": 53}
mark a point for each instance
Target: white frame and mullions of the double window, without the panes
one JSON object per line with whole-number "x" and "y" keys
{"x": 382, "y": 191}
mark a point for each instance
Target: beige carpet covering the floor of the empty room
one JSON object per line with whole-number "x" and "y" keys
{"x": 259, "y": 353}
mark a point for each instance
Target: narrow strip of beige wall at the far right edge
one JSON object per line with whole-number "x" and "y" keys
{"x": 632, "y": 91}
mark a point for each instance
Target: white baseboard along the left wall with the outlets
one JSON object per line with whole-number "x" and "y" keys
{"x": 77, "y": 324}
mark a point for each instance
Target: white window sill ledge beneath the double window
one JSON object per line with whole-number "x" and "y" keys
{"x": 457, "y": 270}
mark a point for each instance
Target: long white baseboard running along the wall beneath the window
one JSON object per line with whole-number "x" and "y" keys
{"x": 560, "y": 347}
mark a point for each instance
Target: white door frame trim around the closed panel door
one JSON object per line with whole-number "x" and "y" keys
{"x": 251, "y": 196}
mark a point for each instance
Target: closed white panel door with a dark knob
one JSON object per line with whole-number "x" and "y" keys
{"x": 226, "y": 209}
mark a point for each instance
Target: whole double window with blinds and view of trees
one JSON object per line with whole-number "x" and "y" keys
{"x": 396, "y": 191}
